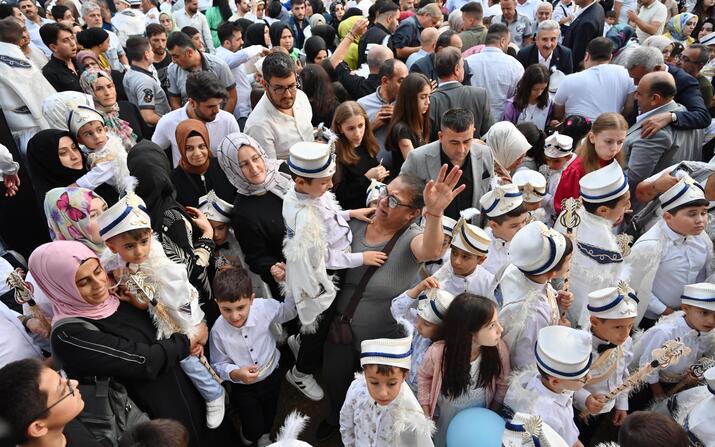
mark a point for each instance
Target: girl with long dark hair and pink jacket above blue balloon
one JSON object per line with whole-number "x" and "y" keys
{"x": 469, "y": 367}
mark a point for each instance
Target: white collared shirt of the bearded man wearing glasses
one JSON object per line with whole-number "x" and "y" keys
{"x": 275, "y": 131}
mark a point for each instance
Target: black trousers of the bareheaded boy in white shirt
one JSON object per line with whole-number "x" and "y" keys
{"x": 256, "y": 405}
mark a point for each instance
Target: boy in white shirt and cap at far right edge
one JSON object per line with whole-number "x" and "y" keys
{"x": 674, "y": 252}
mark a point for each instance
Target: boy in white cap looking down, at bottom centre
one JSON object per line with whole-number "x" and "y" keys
{"x": 380, "y": 410}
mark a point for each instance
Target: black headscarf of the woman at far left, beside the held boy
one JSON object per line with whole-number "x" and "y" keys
{"x": 45, "y": 168}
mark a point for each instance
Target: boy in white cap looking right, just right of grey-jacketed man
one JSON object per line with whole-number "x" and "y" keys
{"x": 505, "y": 213}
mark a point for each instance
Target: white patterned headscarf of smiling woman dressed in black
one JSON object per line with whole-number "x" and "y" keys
{"x": 227, "y": 154}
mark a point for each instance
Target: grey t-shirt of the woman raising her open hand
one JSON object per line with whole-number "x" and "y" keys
{"x": 372, "y": 318}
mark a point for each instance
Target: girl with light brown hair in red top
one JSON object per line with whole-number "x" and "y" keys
{"x": 602, "y": 145}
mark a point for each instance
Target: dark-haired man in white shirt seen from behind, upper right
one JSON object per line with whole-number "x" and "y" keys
{"x": 583, "y": 93}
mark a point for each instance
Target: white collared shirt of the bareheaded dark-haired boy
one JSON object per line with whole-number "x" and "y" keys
{"x": 253, "y": 344}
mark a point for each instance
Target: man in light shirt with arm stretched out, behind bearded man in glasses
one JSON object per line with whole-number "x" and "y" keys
{"x": 231, "y": 38}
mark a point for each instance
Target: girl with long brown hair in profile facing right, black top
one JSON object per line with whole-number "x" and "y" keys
{"x": 410, "y": 125}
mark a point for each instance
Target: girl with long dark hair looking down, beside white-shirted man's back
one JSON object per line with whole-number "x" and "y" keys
{"x": 531, "y": 102}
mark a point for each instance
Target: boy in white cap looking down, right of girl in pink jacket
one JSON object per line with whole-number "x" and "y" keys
{"x": 563, "y": 360}
